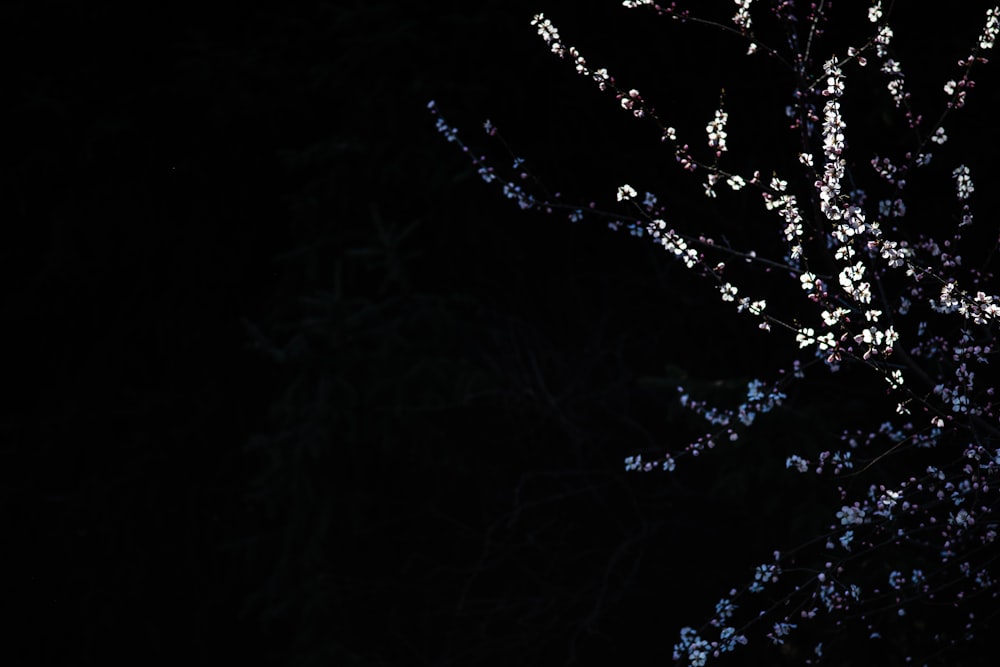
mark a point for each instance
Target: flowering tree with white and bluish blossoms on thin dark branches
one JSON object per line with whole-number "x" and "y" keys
{"x": 859, "y": 277}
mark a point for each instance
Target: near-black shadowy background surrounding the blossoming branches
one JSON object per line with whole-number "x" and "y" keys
{"x": 292, "y": 386}
